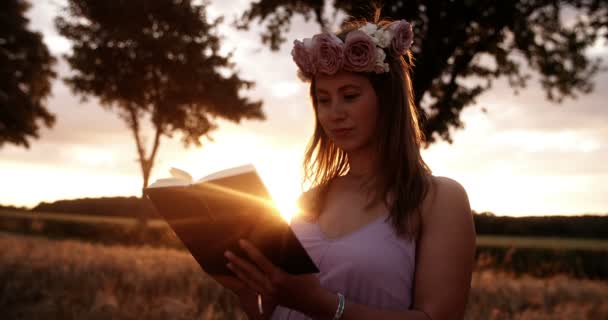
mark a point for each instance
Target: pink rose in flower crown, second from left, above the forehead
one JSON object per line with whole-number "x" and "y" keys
{"x": 328, "y": 53}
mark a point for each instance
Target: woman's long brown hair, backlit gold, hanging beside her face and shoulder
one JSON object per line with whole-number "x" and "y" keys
{"x": 399, "y": 137}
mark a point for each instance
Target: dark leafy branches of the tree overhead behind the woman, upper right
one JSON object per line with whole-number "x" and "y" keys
{"x": 452, "y": 38}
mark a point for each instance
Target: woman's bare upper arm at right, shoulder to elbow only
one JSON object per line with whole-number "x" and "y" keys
{"x": 445, "y": 254}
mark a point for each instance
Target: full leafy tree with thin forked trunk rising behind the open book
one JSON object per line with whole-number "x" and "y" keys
{"x": 157, "y": 59}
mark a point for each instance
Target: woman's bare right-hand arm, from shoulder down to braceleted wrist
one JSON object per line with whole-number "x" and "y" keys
{"x": 444, "y": 263}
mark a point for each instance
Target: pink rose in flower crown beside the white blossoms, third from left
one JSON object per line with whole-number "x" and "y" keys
{"x": 359, "y": 52}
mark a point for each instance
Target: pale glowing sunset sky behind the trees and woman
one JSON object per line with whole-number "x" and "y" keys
{"x": 525, "y": 156}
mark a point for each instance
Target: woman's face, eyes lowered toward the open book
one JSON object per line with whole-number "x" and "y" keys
{"x": 347, "y": 109}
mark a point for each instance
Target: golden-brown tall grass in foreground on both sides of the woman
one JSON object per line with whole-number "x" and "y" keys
{"x": 49, "y": 279}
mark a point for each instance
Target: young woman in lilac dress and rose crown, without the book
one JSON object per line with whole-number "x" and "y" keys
{"x": 391, "y": 240}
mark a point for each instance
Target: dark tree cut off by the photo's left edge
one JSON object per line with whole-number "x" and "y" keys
{"x": 25, "y": 76}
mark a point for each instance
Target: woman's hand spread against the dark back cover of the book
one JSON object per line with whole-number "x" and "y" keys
{"x": 298, "y": 292}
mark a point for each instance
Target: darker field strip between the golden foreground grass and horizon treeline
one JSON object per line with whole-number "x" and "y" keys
{"x": 540, "y": 257}
